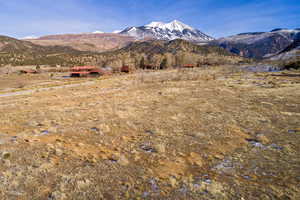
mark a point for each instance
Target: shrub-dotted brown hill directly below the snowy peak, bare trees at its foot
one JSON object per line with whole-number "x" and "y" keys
{"x": 175, "y": 53}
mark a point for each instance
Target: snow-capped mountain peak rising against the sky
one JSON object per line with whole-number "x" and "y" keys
{"x": 167, "y": 31}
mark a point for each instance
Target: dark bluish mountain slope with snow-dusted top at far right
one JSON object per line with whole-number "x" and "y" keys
{"x": 258, "y": 44}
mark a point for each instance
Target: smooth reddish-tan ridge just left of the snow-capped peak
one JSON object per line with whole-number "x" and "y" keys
{"x": 97, "y": 42}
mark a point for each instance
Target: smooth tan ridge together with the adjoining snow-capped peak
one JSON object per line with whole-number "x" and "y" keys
{"x": 100, "y": 42}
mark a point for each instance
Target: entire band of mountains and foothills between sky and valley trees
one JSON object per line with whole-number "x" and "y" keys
{"x": 147, "y": 40}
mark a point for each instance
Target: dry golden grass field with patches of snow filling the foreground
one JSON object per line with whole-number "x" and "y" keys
{"x": 213, "y": 133}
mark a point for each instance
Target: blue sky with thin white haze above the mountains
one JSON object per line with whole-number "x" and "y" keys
{"x": 21, "y": 18}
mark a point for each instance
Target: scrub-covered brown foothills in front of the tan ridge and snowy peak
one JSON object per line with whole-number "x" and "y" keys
{"x": 175, "y": 53}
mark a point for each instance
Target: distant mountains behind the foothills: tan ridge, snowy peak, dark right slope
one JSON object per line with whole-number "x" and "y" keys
{"x": 258, "y": 45}
